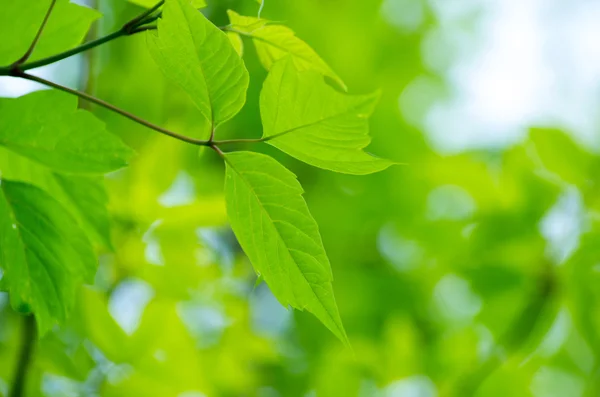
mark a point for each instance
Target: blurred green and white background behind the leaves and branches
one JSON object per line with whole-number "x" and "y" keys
{"x": 473, "y": 269}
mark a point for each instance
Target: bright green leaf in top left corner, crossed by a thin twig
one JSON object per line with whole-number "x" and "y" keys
{"x": 20, "y": 20}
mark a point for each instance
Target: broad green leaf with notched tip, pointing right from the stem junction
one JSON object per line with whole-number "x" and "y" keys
{"x": 309, "y": 120}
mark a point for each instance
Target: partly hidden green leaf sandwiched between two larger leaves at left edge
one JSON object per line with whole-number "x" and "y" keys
{"x": 84, "y": 197}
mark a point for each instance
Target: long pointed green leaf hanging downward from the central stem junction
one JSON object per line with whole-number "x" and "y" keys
{"x": 274, "y": 227}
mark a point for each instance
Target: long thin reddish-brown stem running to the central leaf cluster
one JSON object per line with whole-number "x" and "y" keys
{"x": 113, "y": 108}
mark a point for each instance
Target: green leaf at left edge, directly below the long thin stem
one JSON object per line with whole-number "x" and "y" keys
{"x": 47, "y": 127}
